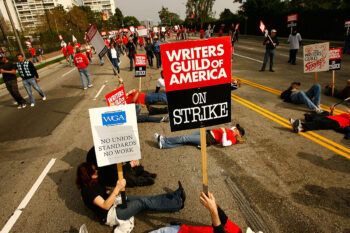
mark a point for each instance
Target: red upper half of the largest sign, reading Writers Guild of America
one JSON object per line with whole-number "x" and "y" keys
{"x": 197, "y": 63}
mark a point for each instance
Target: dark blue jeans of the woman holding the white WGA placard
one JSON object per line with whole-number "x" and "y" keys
{"x": 169, "y": 202}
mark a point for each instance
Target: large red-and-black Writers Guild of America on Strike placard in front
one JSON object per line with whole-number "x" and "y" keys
{"x": 197, "y": 76}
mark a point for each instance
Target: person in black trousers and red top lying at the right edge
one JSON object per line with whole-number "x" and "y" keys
{"x": 339, "y": 122}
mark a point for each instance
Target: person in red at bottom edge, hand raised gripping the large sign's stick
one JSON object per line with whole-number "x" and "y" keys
{"x": 220, "y": 222}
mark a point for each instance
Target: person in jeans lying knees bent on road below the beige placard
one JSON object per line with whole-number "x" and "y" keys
{"x": 311, "y": 98}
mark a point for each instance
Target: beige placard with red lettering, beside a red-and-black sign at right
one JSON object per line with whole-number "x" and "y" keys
{"x": 316, "y": 57}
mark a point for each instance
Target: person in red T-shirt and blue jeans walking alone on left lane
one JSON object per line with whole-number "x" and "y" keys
{"x": 82, "y": 62}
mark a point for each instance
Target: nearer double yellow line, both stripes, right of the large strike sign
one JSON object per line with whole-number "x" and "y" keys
{"x": 333, "y": 146}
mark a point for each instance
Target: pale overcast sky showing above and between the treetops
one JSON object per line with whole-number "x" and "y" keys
{"x": 148, "y": 9}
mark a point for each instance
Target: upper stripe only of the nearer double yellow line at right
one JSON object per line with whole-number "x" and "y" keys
{"x": 326, "y": 140}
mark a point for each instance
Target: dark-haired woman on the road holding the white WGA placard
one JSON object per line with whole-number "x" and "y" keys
{"x": 107, "y": 206}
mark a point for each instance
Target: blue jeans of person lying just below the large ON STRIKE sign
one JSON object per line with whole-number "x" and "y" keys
{"x": 171, "y": 142}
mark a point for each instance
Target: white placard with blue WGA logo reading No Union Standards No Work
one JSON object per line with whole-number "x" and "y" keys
{"x": 115, "y": 134}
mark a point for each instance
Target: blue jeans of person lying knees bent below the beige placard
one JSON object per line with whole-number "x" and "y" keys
{"x": 311, "y": 98}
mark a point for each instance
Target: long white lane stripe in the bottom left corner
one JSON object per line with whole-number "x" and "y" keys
{"x": 11, "y": 222}
